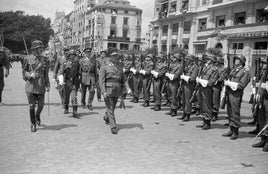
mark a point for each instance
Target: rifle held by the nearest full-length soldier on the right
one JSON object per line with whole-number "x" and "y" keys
{"x": 227, "y": 73}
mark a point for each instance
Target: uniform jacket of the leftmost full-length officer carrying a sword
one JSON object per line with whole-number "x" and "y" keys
{"x": 40, "y": 66}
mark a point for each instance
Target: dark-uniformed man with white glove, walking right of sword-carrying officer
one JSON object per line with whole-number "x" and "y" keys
{"x": 69, "y": 71}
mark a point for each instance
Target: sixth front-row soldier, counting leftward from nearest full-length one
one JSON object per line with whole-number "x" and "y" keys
{"x": 147, "y": 79}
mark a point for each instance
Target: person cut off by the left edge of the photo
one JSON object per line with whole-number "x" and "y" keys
{"x": 4, "y": 71}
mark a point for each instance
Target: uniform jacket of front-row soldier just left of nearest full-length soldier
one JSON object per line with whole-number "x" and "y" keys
{"x": 210, "y": 73}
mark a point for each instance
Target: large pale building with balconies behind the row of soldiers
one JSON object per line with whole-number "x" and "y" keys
{"x": 235, "y": 26}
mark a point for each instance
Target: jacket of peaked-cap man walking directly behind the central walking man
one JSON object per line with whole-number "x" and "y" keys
{"x": 88, "y": 71}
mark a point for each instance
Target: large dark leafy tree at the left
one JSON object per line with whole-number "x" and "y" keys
{"x": 16, "y": 25}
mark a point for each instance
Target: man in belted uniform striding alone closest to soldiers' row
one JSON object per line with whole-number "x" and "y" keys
{"x": 112, "y": 85}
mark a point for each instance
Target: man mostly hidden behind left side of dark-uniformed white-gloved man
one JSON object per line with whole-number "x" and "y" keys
{"x": 60, "y": 60}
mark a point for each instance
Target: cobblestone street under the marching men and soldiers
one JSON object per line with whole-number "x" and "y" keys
{"x": 148, "y": 142}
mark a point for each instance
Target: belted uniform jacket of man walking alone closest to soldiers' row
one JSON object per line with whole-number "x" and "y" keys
{"x": 112, "y": 80}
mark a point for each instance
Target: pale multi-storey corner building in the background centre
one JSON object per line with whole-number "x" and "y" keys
{"x": 115, "y": 23}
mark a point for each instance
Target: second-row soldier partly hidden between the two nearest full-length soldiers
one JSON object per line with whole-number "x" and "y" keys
{"x": 217, "y": 87}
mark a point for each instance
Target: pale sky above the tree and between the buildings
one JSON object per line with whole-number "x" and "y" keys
{"x": 47, "y": 8}
